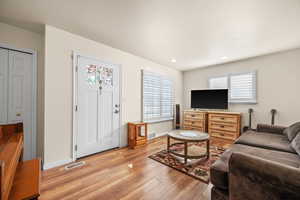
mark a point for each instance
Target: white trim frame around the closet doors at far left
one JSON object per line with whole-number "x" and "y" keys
{"x": 34, "y": 90}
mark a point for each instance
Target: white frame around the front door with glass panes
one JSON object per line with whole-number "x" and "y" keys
{"x": 75, "y": 100}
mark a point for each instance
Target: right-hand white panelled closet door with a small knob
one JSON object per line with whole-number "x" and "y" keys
{"x": 20, "y": 96}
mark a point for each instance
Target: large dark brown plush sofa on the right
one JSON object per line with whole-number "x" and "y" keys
{"x": 259, "y": 165}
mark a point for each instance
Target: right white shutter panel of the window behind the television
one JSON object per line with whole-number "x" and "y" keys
{"x": 243, "y": 88}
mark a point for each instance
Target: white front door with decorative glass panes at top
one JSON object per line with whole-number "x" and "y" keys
{"x": 98, "y": 111}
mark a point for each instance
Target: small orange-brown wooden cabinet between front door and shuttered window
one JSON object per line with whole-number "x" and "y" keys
{"x": 137, "y": 134}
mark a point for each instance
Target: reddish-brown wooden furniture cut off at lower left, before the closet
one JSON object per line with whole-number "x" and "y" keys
{"x": 19, "y": 179}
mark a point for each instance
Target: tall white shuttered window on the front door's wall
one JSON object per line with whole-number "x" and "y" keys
{"x": 157, "y": 97}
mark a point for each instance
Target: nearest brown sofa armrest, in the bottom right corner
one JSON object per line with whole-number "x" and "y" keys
{"x": 254, "y": 178}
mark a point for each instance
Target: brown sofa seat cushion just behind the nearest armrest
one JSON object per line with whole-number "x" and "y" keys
{"x": 219, "y": 170}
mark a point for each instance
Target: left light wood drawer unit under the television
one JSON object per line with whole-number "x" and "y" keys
{"x": 195, "y": 120}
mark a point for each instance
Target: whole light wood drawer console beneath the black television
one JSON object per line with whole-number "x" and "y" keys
{"x": 220, "y": 125}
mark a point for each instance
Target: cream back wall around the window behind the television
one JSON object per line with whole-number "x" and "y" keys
{"x": 278, "y": 85}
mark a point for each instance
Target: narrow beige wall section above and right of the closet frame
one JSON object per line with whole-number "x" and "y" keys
{"x": 20, "y": 38}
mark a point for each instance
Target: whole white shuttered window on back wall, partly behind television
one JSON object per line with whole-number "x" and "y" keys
{"x": 242, "y": 87}
